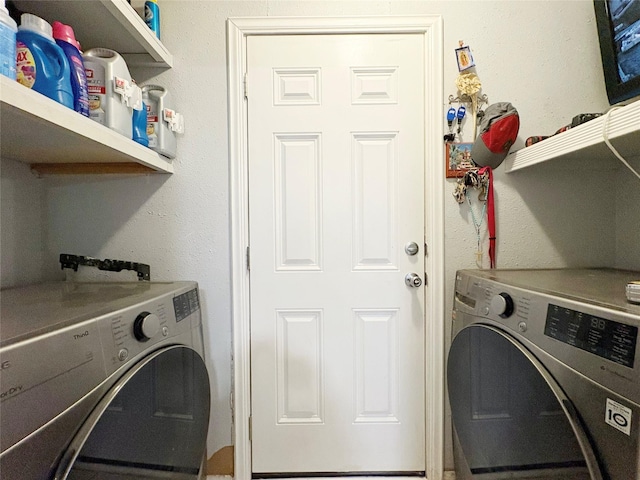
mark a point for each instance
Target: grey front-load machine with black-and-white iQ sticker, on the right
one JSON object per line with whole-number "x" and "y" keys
{"x": 543, "y": 375}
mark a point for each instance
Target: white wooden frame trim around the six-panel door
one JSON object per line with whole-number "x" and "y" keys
{"x": 431, "y": 28}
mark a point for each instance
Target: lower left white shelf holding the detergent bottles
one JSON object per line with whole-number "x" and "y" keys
{"x": 55, "y": 139}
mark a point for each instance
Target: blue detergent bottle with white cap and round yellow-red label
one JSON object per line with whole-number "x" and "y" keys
{"x": 41, "y": 64}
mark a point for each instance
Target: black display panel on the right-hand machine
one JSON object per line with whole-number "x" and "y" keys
{"x": 605, "y": 338}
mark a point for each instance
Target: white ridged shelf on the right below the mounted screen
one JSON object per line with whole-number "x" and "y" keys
{"x": 584, "y": 145}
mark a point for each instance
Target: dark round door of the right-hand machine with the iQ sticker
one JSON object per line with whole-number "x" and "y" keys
{"x": 509, "y": 415}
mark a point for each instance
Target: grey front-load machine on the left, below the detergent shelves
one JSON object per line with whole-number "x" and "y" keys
{"x": 102, "y": 381}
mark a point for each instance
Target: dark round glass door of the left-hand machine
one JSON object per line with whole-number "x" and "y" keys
{"x": 152, "y": 424}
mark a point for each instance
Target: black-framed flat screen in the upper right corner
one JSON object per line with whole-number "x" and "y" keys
{"x": 618, "y": 23}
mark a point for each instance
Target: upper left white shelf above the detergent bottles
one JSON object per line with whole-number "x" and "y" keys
{"x": 112, "y": 24}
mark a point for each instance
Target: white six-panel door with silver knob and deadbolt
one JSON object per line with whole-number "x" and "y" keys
{"x": 336, "y": 191}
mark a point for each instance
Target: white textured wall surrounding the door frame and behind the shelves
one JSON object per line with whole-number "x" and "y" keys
{"x": 541, "y": 56}
